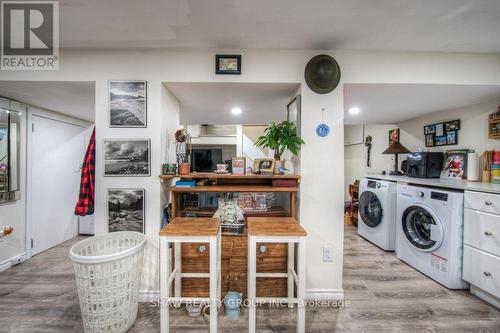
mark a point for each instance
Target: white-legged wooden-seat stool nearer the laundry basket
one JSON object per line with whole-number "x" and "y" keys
{"x": 189, "y": 230}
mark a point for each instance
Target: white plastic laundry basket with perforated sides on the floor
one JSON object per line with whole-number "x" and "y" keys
{"x": 108, "y": 275}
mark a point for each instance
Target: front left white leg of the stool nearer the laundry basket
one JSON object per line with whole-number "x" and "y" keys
{"x": 164, "y": 285}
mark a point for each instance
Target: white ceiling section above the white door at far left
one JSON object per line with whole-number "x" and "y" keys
{"x": 76, "y": 99}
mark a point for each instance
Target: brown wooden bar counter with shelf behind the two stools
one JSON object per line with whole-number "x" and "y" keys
{"x": 271, "y": 258}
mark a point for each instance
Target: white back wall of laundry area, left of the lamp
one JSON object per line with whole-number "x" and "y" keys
{"x": 356, "y": 156}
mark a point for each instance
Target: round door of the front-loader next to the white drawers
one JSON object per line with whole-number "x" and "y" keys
{"x": 422, "y": 228}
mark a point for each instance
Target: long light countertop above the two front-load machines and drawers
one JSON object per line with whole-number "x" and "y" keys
{"x": 444, "y": 183}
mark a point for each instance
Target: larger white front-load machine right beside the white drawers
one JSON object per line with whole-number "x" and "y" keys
{"x": 430, "y": 232}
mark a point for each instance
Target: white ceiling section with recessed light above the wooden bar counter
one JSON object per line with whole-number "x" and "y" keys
{"x": 211, "y": 103}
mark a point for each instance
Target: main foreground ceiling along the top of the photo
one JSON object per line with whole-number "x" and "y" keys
{"x": 408, "y": 25}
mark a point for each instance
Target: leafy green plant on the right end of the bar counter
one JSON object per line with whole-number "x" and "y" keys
{"x": 280, "y": 137}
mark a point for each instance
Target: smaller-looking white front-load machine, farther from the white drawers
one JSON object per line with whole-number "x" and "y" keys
{"x": 377, "y": 212}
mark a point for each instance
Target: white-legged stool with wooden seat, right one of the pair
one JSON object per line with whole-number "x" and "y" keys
{"x": 277, "y": 230}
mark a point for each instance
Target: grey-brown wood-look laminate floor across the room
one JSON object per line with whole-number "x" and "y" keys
{"x": 385, "y": 295}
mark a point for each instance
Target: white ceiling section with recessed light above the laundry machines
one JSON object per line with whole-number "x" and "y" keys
{"x": 394, "y": 103}
